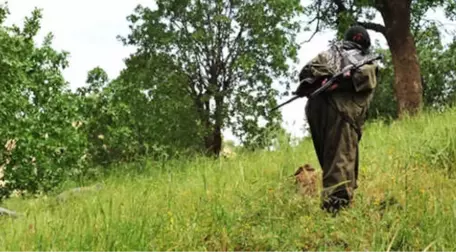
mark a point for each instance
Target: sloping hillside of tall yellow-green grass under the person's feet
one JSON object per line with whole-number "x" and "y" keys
{"x": 406, "y": 201}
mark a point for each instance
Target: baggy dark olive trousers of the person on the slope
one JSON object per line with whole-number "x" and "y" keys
{"x": 336, "y": 145}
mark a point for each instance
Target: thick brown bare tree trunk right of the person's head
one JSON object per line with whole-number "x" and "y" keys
{"x": 408, "y": 87}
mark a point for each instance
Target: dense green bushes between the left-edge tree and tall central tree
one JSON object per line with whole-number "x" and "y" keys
{"x": 124, "y": 123}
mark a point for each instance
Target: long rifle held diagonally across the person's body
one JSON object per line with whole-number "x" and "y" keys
{"x": 349, "y": 67}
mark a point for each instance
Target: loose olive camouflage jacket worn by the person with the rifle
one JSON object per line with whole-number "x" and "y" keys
{"x": 353, "y": 96}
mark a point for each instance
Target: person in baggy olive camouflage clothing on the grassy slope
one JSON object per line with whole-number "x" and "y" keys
{"x": 336, "y": 116}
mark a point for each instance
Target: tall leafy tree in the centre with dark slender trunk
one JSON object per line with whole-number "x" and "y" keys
{"x": 223, "y": 54}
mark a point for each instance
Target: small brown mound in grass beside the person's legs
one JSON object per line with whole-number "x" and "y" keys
{"x": 306, "y": 180}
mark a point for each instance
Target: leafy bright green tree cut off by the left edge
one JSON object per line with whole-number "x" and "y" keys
{"x": 37, "y": 113}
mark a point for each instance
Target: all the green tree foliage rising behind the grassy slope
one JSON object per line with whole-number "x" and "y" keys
{"x": 200, "y": 67}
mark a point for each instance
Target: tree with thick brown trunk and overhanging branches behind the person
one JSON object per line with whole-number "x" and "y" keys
{"x": 399, "y": 17}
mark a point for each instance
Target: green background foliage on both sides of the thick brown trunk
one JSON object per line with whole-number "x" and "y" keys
{"x": 438, "y": 74}
